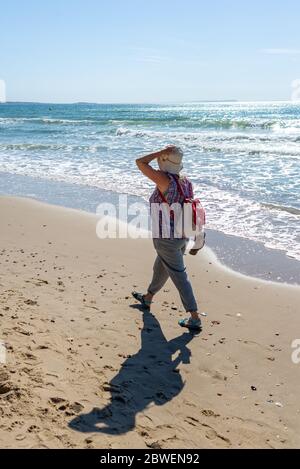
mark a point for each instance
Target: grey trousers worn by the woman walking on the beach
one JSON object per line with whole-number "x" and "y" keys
{"x": 169, "y": 263}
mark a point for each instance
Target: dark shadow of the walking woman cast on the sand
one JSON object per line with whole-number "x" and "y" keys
{"x": 149, "y": 376}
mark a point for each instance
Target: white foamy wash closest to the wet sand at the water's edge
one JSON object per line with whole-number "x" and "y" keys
{"x": 226, "y": 211}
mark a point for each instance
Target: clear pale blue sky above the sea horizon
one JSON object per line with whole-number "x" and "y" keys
{"x": 140, "y": 51}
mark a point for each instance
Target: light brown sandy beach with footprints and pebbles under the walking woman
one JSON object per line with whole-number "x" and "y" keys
{"x": 87, "y": 368}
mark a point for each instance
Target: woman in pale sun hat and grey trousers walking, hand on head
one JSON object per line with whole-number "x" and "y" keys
{"x": 170, "y": 188}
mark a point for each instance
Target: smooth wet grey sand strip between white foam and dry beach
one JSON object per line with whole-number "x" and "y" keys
{"x": 243, "y": 255}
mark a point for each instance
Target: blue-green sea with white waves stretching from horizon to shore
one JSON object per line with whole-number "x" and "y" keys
{"x": 242, "y": 157}
